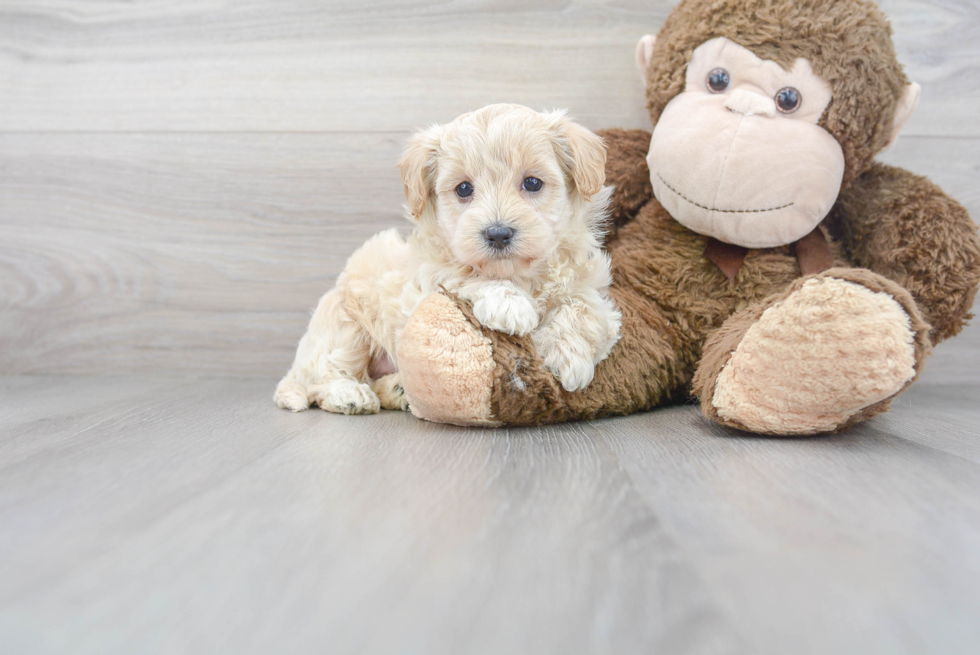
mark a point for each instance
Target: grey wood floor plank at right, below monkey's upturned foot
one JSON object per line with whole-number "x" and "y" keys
{"x": 838, "y": 521}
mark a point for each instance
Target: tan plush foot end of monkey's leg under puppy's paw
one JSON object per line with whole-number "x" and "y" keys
{"x": 446, "y": 365}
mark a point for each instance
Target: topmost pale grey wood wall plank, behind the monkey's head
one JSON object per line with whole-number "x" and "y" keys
{"x": 383, "y": 65}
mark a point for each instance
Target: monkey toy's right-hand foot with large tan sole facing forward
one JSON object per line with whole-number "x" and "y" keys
{"x": 831, "y": 352}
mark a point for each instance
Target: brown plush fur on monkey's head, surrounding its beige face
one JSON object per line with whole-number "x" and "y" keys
{"x": 848, "y": 43}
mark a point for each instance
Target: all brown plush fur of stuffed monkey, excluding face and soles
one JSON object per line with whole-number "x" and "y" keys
{"x": 890, "y": 231}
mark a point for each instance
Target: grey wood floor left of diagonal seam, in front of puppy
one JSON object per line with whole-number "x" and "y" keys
{"x": 198, "y": 517}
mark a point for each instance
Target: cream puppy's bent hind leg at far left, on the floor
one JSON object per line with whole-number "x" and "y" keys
{"x": 331, "y": 360}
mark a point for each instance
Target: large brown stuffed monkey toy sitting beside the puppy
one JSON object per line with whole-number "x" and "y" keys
{"x": 763, "y": 262}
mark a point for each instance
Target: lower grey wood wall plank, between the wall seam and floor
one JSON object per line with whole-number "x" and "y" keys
{"x": 205, "y": 253}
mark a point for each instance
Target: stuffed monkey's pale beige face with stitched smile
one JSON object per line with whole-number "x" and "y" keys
{"x": 739, "y": 155}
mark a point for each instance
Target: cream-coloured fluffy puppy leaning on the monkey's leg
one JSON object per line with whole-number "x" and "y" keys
{"x": 508, "y": 206}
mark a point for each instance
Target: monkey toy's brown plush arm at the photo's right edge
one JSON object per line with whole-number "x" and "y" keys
{"x": 904, "y": 227}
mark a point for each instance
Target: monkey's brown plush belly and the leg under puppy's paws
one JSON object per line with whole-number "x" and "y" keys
{"x": 671, "y": 299}
